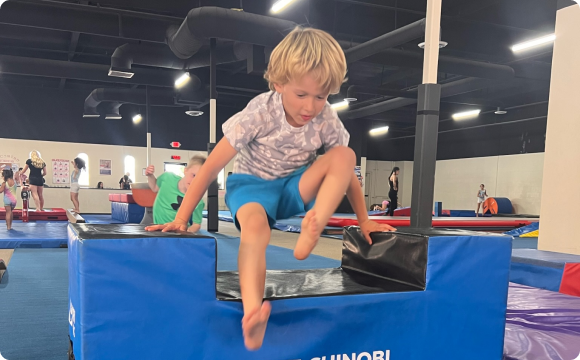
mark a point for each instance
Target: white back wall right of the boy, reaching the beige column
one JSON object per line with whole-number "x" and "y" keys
{"x": 517, "y": 177}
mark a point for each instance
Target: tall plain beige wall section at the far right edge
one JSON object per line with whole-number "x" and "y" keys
{"x": 560, "y": 195}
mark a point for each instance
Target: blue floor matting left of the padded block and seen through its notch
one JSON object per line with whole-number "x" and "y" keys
{"x": 34, "y": 296}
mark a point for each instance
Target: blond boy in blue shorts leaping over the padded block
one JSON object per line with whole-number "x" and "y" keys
{"x": 276, "y": 174}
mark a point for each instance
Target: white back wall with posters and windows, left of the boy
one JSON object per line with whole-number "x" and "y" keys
{"x": 91, "y": 200}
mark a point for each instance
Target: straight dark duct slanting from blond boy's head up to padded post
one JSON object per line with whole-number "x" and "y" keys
{"x": 392, "y": 39}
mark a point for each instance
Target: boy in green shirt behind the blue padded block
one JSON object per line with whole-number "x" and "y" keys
{"x": 171, "y": 190}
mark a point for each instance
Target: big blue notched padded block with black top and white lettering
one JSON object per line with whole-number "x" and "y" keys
{"x": 433, "y": 295}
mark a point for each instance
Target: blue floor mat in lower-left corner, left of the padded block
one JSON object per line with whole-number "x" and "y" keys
{"x": 34, "y": 298}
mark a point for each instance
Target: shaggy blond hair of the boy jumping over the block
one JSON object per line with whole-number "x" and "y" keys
{"x": 307, "y": 50}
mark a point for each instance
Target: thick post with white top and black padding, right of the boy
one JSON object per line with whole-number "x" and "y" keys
{"x": 429, "y": 96}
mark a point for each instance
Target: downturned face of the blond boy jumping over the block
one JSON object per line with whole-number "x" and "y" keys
{"x": 303, "y": 99}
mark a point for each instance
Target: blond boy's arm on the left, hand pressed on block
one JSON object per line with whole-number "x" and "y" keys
{"x": 216, "y": 161}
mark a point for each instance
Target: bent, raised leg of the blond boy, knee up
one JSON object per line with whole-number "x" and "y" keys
{"x": 326, "y": 180}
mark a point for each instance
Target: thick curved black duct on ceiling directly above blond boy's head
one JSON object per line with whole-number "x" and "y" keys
{"x": 213, "y": 22}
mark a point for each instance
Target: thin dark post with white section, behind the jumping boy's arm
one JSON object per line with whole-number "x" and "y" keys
{"x": 212, "y": 193}
